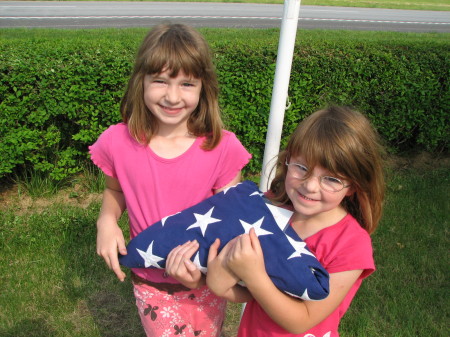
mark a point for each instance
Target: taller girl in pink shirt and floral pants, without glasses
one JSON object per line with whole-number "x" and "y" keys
{"x": 169, "y": 153}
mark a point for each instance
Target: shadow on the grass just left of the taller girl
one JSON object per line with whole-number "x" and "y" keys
{"x": 87, "y": 280}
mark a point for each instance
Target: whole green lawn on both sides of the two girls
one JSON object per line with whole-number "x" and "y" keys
{"x": 53, "y": 283}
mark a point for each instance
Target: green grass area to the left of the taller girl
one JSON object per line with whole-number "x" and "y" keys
{"x": 54, "y": 284}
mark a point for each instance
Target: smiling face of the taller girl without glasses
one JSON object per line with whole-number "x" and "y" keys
{"x": 171, "y": 100}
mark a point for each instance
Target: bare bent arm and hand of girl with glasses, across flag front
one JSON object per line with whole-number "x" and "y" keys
{"x": 294, "y": 315}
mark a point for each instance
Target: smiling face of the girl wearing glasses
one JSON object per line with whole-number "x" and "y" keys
{"x": 310, "y": 200}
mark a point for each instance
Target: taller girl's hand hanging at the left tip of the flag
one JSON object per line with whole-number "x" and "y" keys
{"x": 110, "y": 240}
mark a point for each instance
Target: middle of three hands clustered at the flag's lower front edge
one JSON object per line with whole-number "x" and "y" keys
{"x": 220, "y": 279}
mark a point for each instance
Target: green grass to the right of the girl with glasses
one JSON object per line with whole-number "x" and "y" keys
{"x": 408, "y": 295}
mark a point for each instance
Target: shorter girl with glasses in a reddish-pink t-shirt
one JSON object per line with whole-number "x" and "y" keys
{"x": 331, "y": 177}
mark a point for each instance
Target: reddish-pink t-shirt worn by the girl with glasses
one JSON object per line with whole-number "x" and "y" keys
{"x": 342, "y": 247}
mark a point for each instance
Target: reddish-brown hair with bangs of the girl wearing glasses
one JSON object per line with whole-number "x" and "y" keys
{"x": 342, "y": 141}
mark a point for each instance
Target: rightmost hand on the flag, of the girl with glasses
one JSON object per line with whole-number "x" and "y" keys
{"x": 246, "y": 259}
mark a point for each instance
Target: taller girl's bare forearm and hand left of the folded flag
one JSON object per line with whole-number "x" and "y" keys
{"x": 110, "y": 238}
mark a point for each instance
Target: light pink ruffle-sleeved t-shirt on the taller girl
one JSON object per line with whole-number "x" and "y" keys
{"x": 156, "y": 187}
